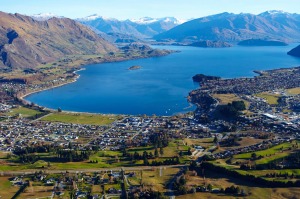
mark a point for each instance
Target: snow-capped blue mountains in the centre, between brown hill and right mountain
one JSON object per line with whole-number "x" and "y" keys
{"x": 145, "y": 27}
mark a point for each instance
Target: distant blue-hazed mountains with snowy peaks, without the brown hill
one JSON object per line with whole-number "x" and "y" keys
{"x": 227, "y": 27}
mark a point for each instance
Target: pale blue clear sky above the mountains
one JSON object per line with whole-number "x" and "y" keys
{"x": 124, "y": 9}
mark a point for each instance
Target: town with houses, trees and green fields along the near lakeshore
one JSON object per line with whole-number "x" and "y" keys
{"x": 240, "y": 126}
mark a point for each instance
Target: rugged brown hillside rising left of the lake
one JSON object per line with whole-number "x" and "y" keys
{"x": 27, "y": 43}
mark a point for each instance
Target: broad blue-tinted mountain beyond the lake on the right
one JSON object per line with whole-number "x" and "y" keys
{"x": 271, "y": 25}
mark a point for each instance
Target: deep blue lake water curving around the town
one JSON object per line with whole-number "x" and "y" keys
{"x": 160, "y": 87}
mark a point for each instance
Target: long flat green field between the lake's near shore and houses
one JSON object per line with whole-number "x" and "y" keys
{"x": 80, "y": 118}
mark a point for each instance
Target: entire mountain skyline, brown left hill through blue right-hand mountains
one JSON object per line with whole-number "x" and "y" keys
{"x": 26, "y": 42}
